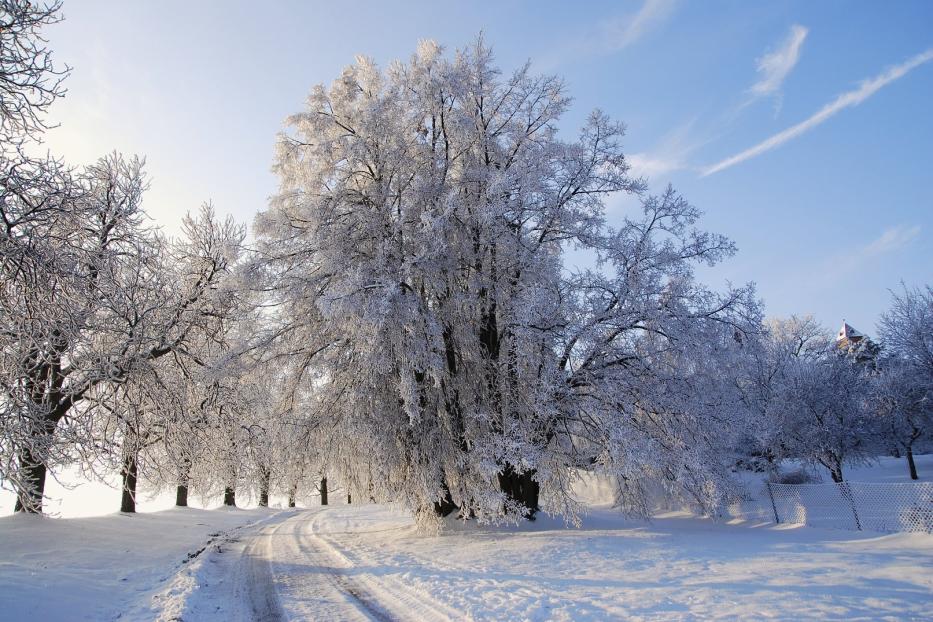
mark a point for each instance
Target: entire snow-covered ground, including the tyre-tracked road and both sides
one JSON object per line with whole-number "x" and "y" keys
{"x": 370, "y": 562}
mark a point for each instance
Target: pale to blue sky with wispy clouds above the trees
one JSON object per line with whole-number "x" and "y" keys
{"x": 804, "y": 130}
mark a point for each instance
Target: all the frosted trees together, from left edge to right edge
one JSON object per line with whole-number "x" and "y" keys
{"x": 408, "y": 322}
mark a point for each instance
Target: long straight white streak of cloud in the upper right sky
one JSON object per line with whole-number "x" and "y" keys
{"x": 851, "y": 98}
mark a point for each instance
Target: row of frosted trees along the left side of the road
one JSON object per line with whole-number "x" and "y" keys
{"x": 121, "y": 349}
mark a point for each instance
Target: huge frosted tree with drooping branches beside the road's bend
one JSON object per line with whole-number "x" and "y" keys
{"x": 417, "y": 249}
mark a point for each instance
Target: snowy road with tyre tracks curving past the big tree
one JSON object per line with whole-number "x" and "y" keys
{"x": 293, "y": 569}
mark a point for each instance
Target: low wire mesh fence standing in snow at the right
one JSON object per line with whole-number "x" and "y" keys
{"x": 848, "y": 505}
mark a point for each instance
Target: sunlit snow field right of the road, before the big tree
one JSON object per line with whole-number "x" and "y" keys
{"x": 676, "y": 567}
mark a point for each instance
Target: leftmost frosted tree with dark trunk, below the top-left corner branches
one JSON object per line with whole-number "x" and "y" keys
{"x": 88, "y": 301}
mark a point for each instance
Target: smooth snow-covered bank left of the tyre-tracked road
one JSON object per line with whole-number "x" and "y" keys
{"x": 96, "y": 568}
